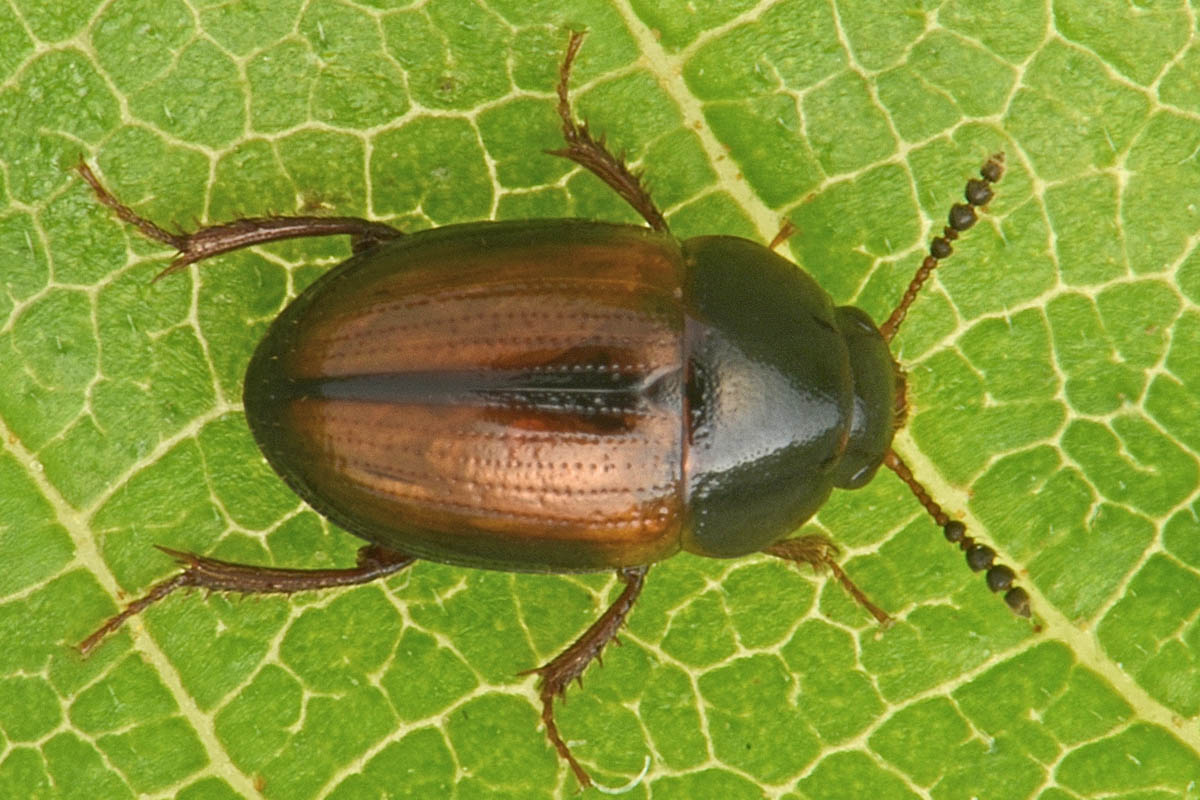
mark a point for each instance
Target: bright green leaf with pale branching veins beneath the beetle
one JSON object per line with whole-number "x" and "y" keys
{"x": 1054, "y": 371}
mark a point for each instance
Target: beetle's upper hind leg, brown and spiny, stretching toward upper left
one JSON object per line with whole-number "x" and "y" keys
{"x": 214, "y": 240}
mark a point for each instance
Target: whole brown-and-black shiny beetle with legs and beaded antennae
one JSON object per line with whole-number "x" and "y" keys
{"x": 563, "y": 396}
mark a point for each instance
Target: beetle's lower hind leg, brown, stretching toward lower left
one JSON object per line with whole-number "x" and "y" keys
{"x": 203, "y": 573}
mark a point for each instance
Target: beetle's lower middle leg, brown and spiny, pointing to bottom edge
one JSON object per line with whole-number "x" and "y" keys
{"x": 569, "y": 665}
